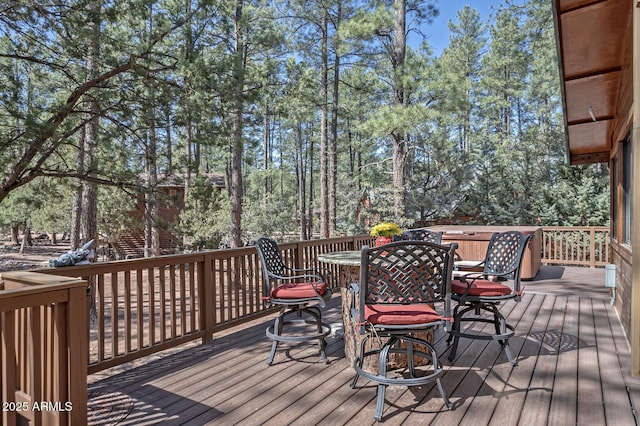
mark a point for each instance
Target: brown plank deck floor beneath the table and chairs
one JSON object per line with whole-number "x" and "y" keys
{"x": 573, "y": 369}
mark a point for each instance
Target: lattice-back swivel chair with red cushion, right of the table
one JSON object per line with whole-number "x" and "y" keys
{"x": 480, "y": 292}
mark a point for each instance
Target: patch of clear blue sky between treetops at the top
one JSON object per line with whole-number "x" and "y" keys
{"x": 438, "y": 32}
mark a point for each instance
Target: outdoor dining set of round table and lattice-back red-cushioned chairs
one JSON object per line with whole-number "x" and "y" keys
{"x": 402, "y": 292}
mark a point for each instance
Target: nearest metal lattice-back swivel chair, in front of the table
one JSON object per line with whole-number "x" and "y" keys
{"x": 403, "y": 293}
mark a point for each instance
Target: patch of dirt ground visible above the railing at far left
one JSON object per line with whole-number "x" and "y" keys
{"x": 34, "y": 257}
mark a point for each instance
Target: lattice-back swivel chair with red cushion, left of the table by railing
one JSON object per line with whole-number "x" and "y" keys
{"x": 299, "y": 293}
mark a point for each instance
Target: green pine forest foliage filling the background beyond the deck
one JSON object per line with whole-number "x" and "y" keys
{"x": 479, "y": 127}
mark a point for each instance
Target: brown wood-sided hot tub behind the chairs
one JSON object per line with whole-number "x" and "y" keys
{"x": 473, "y": 241}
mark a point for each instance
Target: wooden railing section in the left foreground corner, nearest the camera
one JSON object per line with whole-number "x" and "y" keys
{"x": 43, "y": 347}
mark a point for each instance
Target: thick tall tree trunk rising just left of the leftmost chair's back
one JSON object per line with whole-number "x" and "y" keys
{"x": 236, "y": 136}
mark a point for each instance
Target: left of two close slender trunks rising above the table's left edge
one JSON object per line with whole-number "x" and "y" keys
{"x": 324, "y": 161}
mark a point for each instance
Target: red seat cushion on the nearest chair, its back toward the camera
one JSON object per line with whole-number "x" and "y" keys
{"x": 390, "y": 314}
